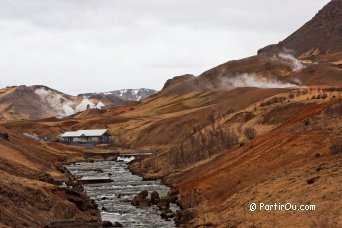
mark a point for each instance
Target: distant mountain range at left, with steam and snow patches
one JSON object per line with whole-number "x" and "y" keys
{"x": 37, "y": 102}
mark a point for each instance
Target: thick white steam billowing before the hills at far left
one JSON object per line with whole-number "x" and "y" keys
{"x": 63, "y": 106}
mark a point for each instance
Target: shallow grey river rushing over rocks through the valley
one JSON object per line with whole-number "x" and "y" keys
{"x": 113, "y": 186}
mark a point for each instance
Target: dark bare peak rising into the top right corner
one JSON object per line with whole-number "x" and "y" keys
{"x": 322, "y": 34}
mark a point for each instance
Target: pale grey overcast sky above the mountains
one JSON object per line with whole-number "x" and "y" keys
{"x": 78, "y": 46}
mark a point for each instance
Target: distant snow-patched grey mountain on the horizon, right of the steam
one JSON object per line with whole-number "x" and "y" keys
{"x": 122, "y": 95}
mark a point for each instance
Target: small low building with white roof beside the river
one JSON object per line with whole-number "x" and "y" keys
{"x": 86, "y": 136}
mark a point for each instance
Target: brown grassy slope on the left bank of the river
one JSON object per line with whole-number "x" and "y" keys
{"x": 30, "y": 183}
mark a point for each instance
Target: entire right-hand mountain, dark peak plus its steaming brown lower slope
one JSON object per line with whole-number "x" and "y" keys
{"x": 310, "y": 56}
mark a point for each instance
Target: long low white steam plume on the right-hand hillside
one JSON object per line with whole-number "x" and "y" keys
{"x": 250, "y": 80}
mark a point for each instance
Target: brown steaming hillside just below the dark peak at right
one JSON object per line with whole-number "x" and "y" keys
{"x": 263, "y": 71}
